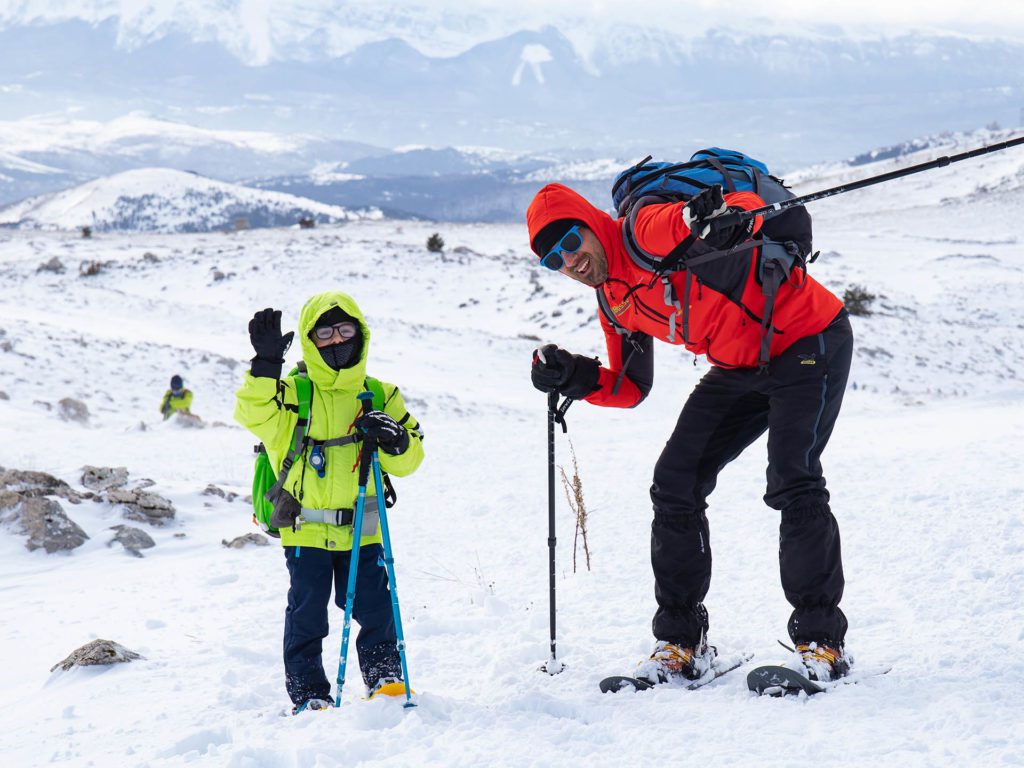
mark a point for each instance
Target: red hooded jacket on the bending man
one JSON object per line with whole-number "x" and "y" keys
{"x": 726, "y": 303}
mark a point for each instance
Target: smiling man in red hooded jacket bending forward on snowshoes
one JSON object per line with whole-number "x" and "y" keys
{"x": 780, "y": 364}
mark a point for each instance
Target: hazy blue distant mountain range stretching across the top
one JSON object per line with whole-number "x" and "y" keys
{"x": 797, "y": 93}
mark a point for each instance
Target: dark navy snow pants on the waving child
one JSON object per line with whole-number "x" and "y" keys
{"x": 314, "y": 572}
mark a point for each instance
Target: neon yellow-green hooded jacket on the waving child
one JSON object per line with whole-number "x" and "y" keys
{"x": 269, "y": 408}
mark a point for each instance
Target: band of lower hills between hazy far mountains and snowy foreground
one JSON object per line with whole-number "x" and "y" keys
{"x": 445, "y": 185}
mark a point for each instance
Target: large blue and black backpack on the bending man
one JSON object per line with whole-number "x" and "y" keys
{"x": 785, "y": 240}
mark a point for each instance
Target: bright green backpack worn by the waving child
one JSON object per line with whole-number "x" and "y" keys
{"x": 266, "y": 481}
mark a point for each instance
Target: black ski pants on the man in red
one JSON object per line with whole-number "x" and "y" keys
{"x": 797, "y": 402}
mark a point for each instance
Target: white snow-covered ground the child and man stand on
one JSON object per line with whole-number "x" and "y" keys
{"x": 925, "y": 471}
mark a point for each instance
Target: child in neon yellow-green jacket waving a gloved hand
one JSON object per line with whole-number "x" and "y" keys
{"x": 322, "y": 485}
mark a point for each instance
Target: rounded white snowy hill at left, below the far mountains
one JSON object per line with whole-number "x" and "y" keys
{"x": 163, "y": 200}
